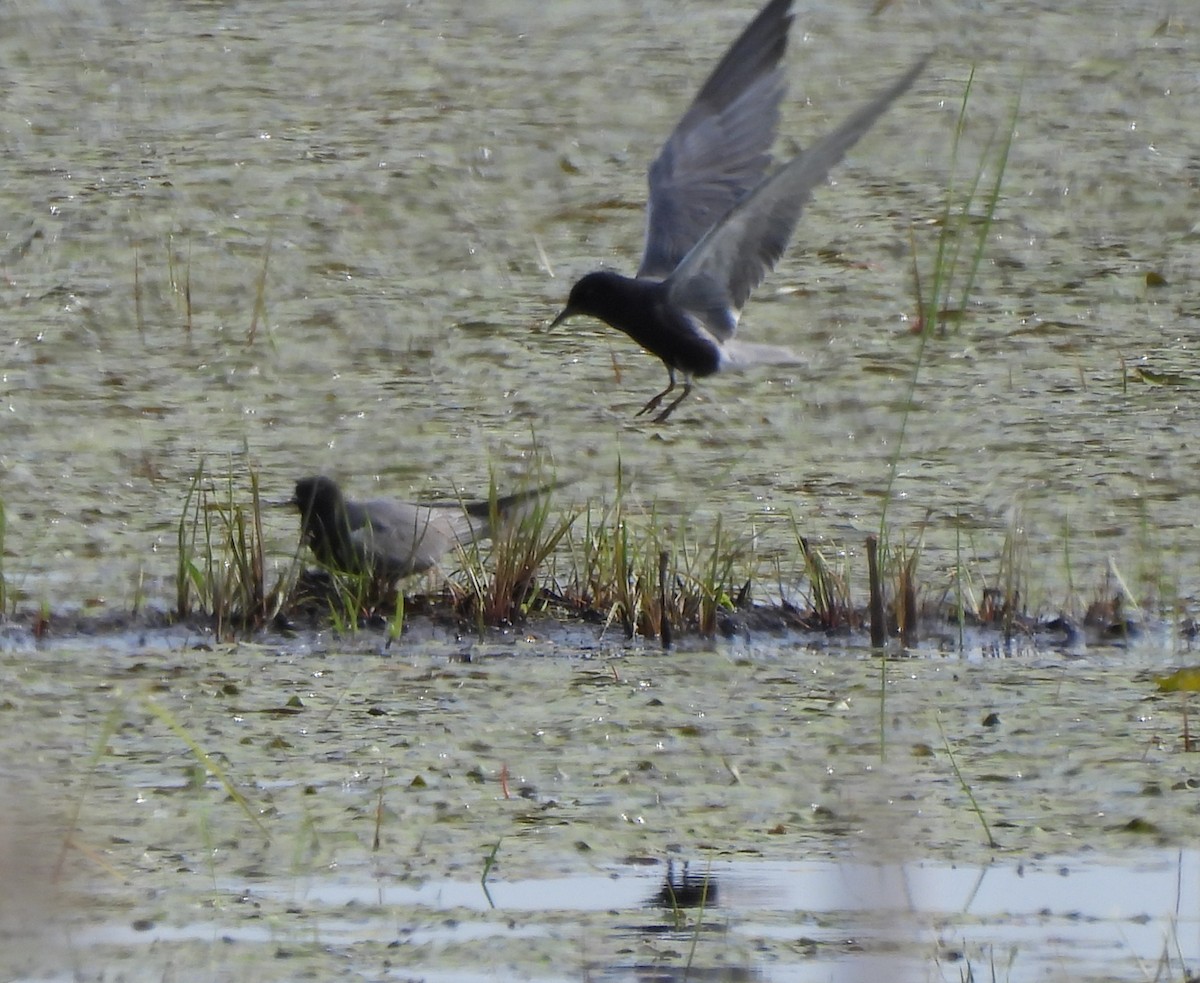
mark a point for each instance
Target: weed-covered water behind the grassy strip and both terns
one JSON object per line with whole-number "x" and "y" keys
{"x": 423, "y": 183}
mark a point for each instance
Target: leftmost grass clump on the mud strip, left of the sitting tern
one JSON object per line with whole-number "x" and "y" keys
{"x": 221, "y": 571}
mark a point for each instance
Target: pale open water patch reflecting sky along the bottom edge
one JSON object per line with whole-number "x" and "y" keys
{"x": 772, "y": 921}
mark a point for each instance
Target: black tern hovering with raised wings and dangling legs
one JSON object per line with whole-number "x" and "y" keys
{"x": 717, "y": 225}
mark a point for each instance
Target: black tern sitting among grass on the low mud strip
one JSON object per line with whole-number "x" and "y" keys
{"x": 391, "y": 540}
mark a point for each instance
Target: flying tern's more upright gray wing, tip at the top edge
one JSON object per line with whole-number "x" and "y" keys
{"x": 719, "y": 152}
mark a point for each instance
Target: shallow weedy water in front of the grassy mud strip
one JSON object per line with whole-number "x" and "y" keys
{"x": 374, "y": 790}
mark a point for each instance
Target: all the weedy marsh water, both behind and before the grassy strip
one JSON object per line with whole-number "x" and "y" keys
{"x": 302, "y": 238}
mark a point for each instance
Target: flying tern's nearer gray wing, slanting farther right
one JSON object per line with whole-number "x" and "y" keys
{"x": 718, "y": 275}
